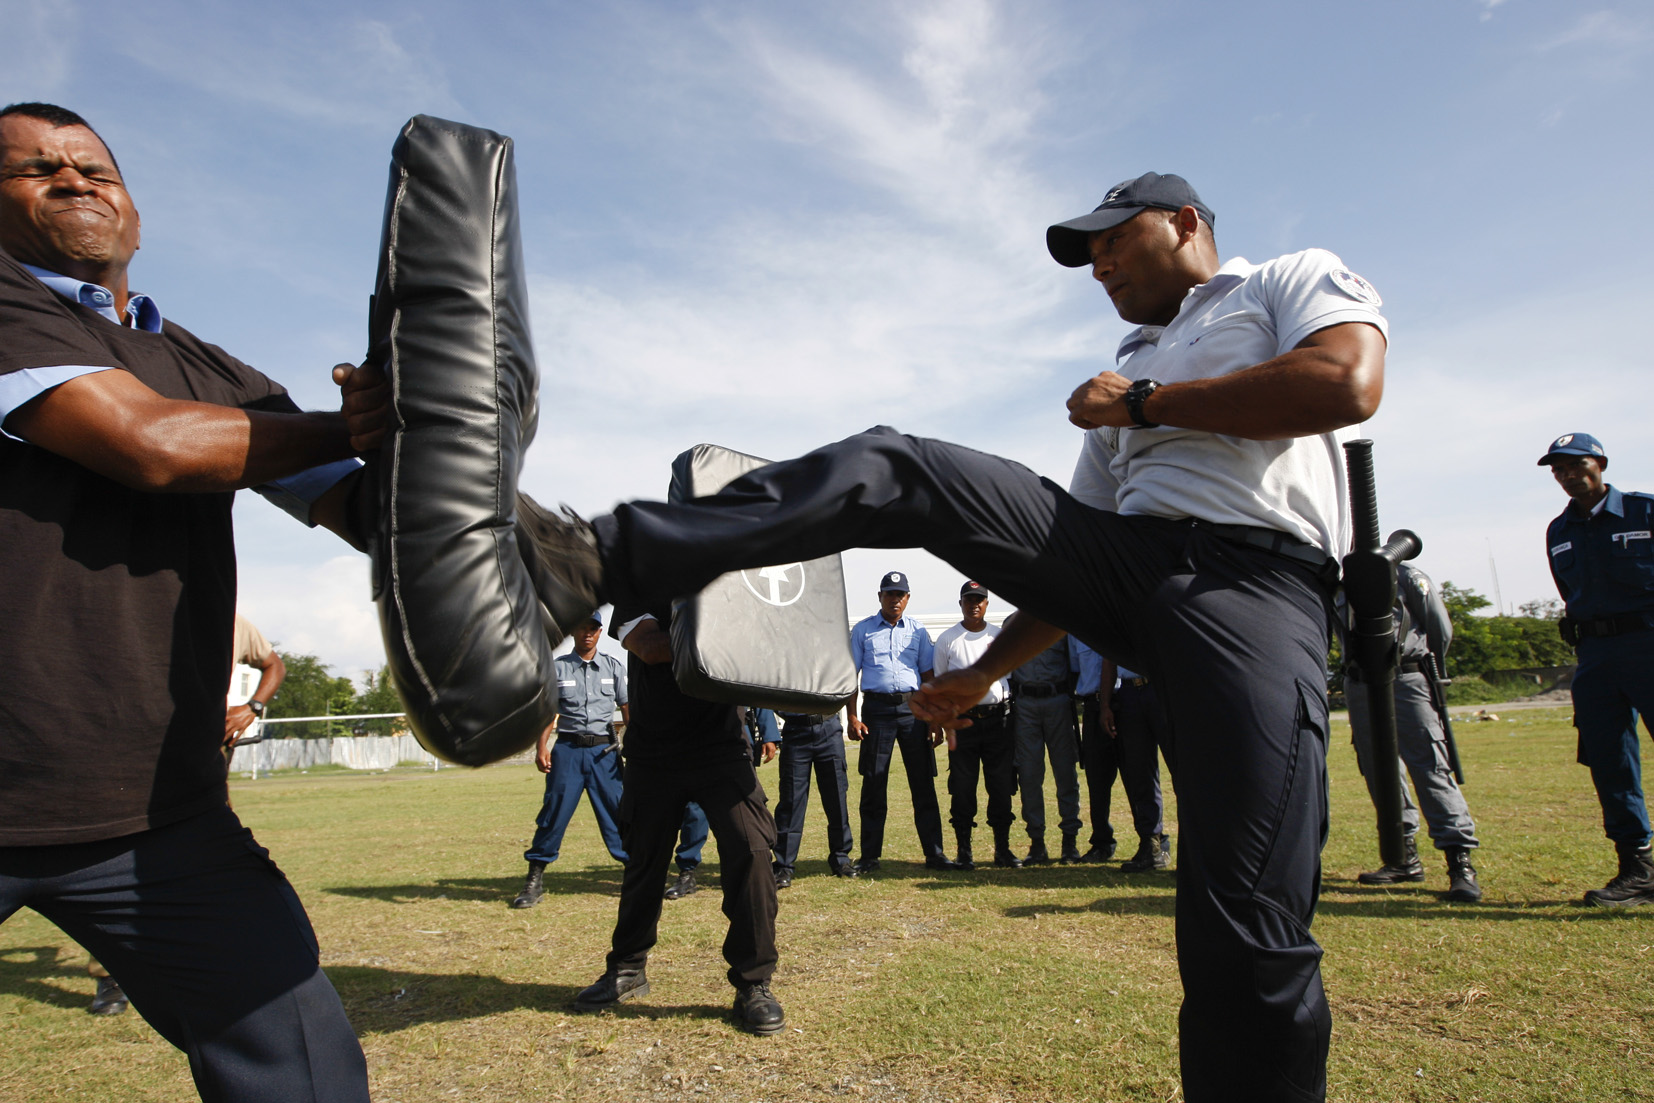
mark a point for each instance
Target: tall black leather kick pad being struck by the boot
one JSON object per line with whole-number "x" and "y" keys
{"x": 449, "y": 322}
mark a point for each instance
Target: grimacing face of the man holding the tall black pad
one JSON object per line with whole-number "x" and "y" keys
{"x": 64, "y": 204}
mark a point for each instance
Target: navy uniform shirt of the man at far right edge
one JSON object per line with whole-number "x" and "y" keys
{"x": 1604, "y": 563}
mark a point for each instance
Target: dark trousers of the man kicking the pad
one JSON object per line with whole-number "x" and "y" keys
{"x": 1233, "y": 636}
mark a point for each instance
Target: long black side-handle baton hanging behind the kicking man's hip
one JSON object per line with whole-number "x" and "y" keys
{"x": 1370, "y": 591}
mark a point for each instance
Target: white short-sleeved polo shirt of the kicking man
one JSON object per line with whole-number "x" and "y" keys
{"x": 1241, "y": 317}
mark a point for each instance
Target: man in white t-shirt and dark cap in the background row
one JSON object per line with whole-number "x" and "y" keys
{"x": 987, "y": 747}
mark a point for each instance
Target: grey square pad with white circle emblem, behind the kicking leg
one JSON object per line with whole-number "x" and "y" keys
{"x": 773, "y": 637}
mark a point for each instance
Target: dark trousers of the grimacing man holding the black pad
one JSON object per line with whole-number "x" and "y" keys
{"x": 214, "y": 950}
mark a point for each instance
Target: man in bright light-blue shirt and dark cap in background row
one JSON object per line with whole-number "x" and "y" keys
{"x": 894, "y": 656}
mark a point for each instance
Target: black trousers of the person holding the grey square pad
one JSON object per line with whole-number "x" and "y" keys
{"x": 737, "y": 809}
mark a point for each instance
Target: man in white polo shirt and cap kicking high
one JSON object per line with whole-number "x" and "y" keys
{"x": 1198, "y": 547}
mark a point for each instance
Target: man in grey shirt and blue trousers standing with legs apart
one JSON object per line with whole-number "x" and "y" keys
{"x": 586, "y": 757}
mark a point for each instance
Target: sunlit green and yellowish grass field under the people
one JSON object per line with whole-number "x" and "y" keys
{"x": 1023, "y": 985}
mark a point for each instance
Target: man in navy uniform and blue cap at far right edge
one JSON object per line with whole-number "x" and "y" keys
{"x": 1602, "y": 555}
